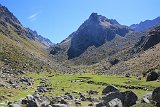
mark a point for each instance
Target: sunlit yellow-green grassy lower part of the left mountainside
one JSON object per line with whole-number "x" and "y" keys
{"x": 22, "y": 53}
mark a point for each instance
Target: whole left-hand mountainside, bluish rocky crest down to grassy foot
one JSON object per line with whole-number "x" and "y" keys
{"x": 20, "y": 48}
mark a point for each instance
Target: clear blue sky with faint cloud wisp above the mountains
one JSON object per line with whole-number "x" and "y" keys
{"x": 56, "y": 19}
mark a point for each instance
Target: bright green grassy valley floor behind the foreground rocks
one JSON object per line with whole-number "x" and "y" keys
{"x": 78, "y": 83}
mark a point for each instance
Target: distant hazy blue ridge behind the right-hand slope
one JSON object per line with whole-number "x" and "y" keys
{"x": 145, "y": 25}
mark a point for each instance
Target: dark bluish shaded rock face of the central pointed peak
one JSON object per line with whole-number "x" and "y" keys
{"x": 94, "y": 32}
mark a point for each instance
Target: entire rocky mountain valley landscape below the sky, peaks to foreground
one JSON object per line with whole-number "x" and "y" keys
{"x": 101, "y": 64}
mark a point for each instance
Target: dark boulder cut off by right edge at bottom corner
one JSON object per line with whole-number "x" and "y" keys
{"x": 156, "y": 95}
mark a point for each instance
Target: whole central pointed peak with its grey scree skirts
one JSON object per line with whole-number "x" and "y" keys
{"x": 93, "y": 40}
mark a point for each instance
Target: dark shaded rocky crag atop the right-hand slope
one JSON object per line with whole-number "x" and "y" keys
{"x": 152, "y": 38}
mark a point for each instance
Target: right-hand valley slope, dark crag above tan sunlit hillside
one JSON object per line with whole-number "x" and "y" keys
{"x": 146, "y": 55}
